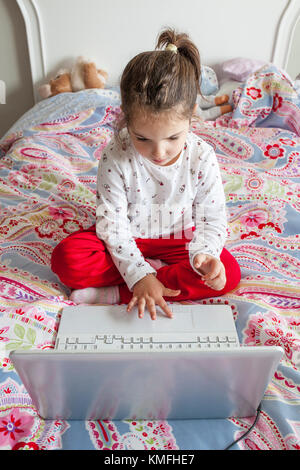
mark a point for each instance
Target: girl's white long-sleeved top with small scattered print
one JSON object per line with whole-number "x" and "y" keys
{"x": 138, "y": 199}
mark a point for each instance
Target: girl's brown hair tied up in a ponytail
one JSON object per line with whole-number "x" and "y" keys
{"x": 159, "y": 80}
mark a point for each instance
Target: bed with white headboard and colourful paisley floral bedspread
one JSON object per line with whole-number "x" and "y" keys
{"x": 48, "y": 165}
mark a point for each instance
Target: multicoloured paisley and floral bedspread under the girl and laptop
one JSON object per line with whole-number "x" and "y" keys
{"x": 48, "y": 171}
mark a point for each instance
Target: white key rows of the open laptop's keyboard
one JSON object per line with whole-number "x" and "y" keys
{"x": 137, "y": 343}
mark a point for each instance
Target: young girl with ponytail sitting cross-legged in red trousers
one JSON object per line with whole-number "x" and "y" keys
{"x": 161, "y": 217}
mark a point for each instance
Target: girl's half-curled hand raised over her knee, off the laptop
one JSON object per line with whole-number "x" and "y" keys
{"x": 212, "y": 270}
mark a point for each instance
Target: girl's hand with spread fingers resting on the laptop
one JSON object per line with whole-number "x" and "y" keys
{"x": 149, "y": 291}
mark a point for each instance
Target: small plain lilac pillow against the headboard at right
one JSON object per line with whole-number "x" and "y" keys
{"x": 240, "y": 68}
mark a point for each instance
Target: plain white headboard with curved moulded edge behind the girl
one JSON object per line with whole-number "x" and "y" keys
{"x": 112, "y": 31}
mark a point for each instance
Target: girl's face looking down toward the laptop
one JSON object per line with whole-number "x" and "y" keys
{"x": 159, "y": 138}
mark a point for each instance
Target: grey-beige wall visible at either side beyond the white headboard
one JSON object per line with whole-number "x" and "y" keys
{"x": 14, "y": 64}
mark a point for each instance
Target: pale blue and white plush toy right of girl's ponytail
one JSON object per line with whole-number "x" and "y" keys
{"x": 210, "y": 105}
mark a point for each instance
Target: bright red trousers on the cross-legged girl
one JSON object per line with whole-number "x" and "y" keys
{"x": 82, "y": 260}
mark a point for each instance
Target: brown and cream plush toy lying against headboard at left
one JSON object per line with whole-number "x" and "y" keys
{"x": 83, "y": 75}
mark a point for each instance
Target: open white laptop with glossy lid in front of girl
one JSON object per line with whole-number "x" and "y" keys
{"x": 110, "y": 364}
